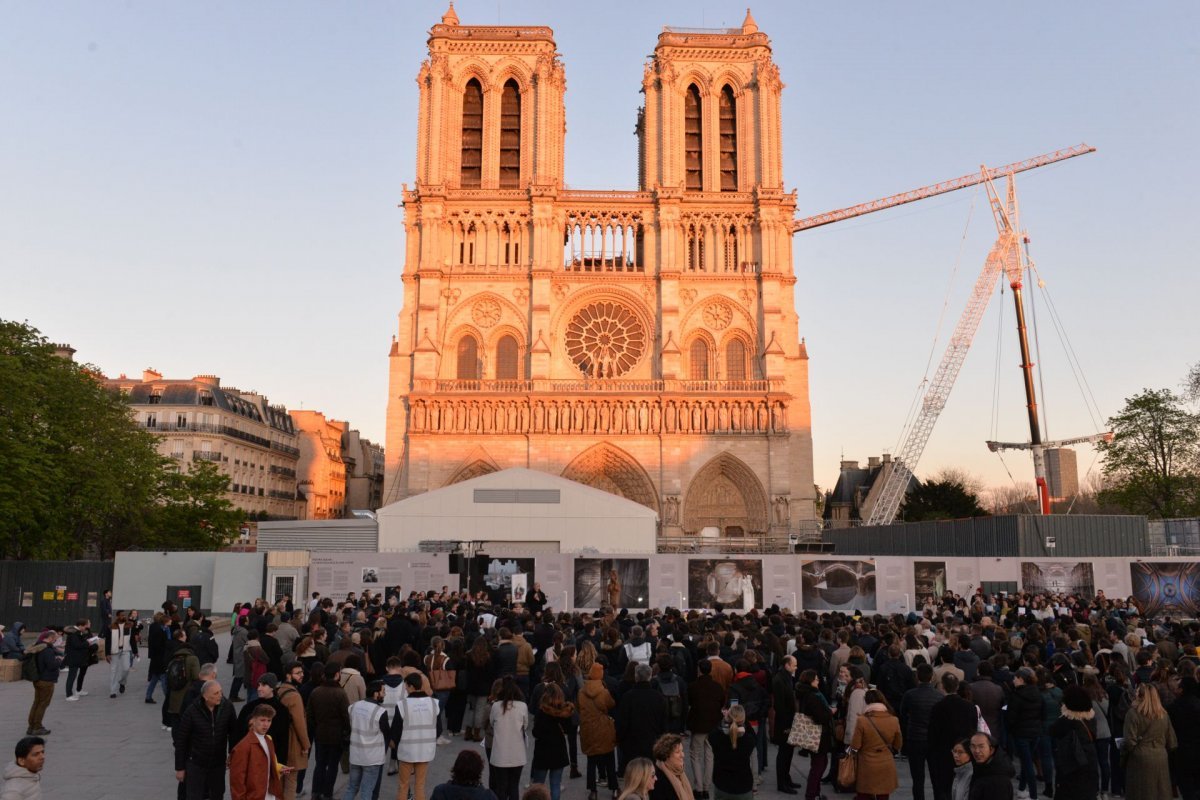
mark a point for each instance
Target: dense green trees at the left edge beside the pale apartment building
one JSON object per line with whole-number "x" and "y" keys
{"x": 79, "y": 477}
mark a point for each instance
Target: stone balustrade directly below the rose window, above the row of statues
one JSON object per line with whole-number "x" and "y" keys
{"x": 586, "y": 387}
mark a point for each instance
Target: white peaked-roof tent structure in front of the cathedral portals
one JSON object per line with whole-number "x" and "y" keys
{"x": 530, "y": 509}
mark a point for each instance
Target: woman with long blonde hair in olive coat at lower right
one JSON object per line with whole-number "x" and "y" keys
{"x": 1149, "y": 736}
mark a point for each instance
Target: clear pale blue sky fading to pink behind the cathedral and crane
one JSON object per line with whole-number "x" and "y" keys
{"x": 213, "y": 189}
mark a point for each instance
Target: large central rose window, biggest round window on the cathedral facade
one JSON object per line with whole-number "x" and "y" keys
{"x": 605, "y": 340}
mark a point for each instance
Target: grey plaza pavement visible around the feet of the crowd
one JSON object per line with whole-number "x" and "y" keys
{"x": 104, "y": 749}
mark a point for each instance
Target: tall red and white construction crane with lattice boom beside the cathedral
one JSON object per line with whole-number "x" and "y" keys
{"x": 1006, "y": 260}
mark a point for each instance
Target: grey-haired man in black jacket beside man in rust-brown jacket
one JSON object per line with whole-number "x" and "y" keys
{"x": 203, "y": 742}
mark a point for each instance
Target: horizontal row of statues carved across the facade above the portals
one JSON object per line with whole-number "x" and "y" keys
{"x": 598, "y": 416}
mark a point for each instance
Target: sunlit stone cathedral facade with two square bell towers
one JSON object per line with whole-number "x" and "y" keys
{"x": 643, "y": 342}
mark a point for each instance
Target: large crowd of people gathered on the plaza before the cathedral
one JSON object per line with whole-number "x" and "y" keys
{"x": 980, "y": 699}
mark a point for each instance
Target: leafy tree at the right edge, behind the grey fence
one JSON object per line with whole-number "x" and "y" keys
{"x": 1153, "y": 466}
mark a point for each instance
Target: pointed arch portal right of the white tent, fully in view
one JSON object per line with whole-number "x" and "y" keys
{"x": 725, "y": 495}
